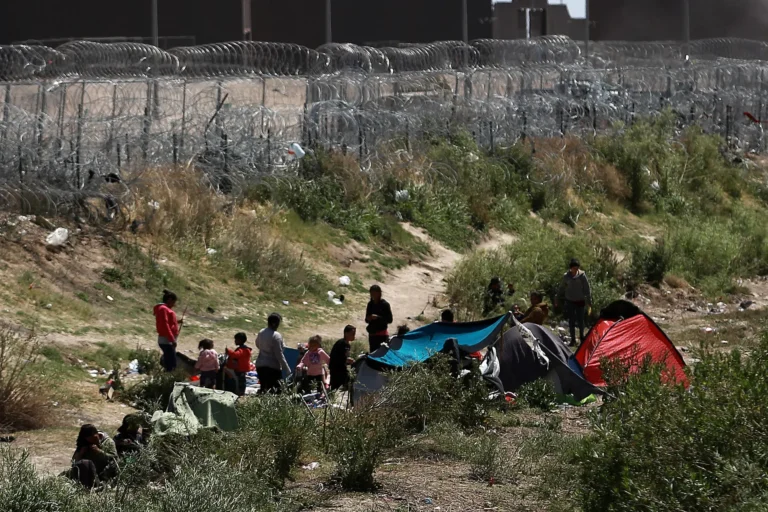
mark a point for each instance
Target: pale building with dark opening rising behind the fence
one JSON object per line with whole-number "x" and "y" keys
{"x": 522, "y": 19}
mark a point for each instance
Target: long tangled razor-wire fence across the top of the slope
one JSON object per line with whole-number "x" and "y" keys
{"x": 80, "y": 114}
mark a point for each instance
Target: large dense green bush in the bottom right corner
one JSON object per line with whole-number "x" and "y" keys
{"x": 663, "y": 448}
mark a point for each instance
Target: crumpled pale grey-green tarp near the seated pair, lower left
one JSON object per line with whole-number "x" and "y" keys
{"x": 192, "y": 408}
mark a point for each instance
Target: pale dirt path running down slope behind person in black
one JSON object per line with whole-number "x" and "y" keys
{"x": 416, "y": 292}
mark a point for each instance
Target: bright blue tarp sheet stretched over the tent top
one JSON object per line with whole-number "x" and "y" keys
{"x": 424, "y": 342}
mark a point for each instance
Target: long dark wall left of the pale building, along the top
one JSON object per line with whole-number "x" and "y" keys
{"x": 205, "y": 21}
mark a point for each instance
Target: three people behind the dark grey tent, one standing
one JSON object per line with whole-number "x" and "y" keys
{"x": 574, "y": 294}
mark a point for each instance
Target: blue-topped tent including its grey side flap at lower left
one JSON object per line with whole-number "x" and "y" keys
{"x": 421, "y": 344}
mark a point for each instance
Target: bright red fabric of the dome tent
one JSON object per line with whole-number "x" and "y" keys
{"x": 630, "y": 340}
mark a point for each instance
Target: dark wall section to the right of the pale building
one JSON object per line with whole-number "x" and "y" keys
{"x": 649, "y": 20}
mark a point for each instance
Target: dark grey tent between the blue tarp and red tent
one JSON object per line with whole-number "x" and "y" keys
{"x": 522, "y": 361}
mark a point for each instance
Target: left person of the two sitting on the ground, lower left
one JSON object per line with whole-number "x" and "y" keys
{"x": 95, "y": 457}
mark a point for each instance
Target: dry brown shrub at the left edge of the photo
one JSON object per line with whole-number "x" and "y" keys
{"x": 22, "y": 400}
